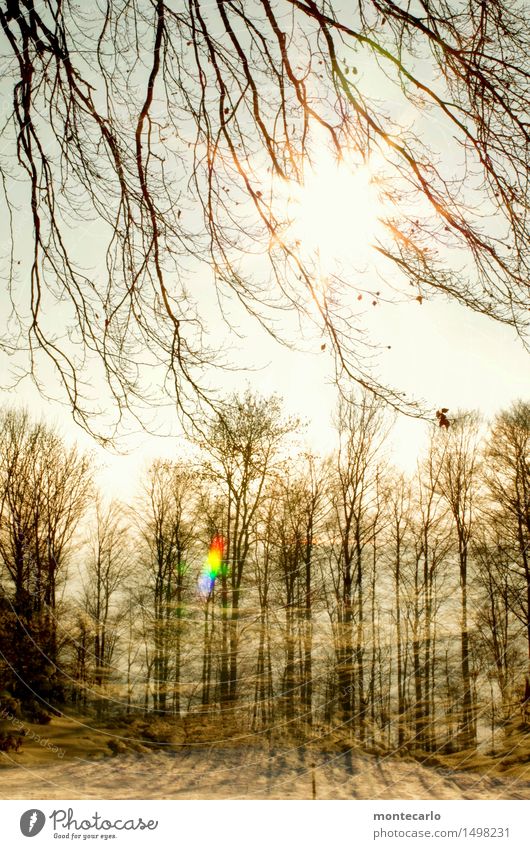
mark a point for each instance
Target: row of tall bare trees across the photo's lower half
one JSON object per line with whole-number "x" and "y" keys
{"x": 339, "y": 594}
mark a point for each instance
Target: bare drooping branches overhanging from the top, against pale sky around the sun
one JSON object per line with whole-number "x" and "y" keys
{"x": 149, "y": 141}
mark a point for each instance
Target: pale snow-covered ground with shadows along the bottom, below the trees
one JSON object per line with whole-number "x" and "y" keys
{"x": 246, "y": 774}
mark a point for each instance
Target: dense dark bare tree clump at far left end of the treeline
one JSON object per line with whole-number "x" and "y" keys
{"x": 44, "y": 492}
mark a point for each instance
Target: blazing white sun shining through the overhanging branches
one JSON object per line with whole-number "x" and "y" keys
{"x": 335, "y": 214}
